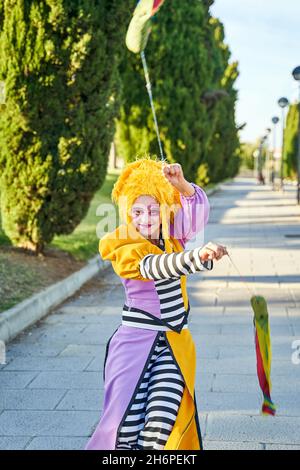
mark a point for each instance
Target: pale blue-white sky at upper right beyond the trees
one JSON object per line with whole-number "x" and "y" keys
{"x": 264, "y": 36}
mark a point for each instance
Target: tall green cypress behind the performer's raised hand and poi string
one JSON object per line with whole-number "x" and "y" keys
{"x": 191, "y": 76}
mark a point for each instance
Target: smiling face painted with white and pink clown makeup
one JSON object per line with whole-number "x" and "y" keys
{"x": 146, "y": 216}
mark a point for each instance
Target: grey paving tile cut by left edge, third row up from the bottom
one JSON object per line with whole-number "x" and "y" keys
{"x": 30, "y": 399}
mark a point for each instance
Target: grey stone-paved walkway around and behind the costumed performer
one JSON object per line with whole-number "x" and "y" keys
{"x": 51, "y": 389}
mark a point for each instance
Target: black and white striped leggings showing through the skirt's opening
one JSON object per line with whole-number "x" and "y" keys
{"x": 153, "y": 411}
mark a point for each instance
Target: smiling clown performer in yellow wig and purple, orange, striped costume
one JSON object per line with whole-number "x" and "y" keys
{"x": 150, "y": 360}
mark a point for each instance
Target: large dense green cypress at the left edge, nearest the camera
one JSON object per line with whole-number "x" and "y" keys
{"x": 59, "y": 61}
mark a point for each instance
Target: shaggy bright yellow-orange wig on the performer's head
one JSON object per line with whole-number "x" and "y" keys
{"x": 145, "y": 177}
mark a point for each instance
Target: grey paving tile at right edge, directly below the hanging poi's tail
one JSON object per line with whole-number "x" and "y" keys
{"x": 266, "y": 429}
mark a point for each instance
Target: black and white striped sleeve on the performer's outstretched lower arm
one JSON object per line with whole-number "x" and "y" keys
{"x": 170, "y": 265}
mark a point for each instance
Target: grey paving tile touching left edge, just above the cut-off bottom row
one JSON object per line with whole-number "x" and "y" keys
{"x": 47, "y": 423}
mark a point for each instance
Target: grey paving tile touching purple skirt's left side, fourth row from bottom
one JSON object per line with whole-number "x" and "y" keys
{"x": 67, "y": 380}
